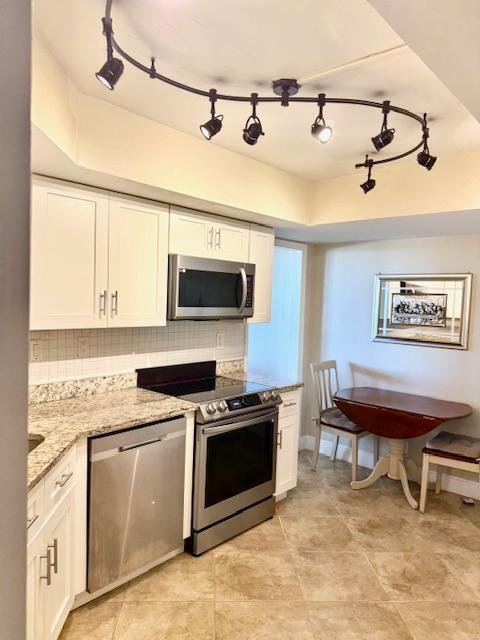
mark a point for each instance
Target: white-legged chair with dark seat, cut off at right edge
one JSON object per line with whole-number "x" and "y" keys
{"x": 448, "y": 450}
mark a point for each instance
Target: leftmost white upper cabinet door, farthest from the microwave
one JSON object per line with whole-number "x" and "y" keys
{"x": 68, "y": 257}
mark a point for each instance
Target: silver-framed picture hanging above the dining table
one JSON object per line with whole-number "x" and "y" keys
{"x": 424, "y": 309}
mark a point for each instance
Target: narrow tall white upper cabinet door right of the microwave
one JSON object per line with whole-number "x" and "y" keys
{"x": 261, "y": 255}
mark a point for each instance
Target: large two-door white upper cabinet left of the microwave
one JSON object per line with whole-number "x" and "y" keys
{"x": 97, "y": 260}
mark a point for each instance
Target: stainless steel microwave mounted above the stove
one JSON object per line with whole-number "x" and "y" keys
{"x": 208, "y": 289}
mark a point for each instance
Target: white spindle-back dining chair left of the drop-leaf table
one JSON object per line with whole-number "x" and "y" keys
{"x": 330, "y": 419}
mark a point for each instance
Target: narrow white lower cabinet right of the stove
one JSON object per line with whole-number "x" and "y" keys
{"x": 287, "y": 442}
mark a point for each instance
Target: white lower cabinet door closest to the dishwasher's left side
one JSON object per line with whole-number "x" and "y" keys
{"x": 59, "y": 594}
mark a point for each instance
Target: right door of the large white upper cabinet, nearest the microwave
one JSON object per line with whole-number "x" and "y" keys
{"x": 138, "y": 264}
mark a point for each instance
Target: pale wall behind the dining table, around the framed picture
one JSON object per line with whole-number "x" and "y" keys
{"x": 340, "y": 282}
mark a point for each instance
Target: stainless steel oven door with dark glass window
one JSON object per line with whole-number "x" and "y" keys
{"x": 235, "y": 462}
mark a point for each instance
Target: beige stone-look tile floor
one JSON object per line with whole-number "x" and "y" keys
{"x": 334, "y": 564}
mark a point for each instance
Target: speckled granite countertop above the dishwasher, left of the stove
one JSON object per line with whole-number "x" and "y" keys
{"x": 63, "y": 422}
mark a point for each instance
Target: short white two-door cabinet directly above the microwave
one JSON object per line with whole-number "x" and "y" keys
{"x": 201, "y": 235}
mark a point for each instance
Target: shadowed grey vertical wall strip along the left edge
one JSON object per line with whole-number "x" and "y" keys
{"x": 14, "y": 246}
